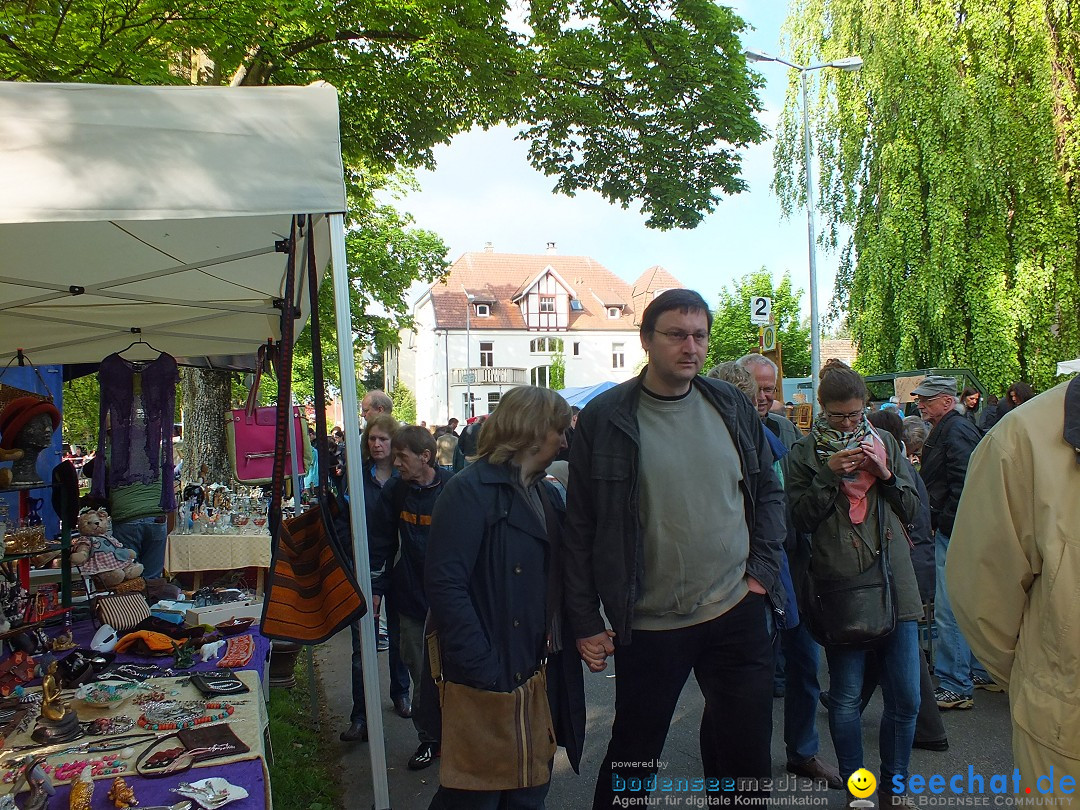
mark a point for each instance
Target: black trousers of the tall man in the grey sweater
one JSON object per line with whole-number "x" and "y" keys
{"x": 732, "y": 658}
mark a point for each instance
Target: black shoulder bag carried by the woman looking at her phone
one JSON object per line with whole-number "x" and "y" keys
{"x": 853, "y": 612}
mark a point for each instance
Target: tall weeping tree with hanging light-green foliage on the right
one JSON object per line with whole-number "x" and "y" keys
{"x": 953, "y": 158}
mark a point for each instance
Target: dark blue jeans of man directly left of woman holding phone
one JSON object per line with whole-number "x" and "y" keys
{"x": 801, "y": 697}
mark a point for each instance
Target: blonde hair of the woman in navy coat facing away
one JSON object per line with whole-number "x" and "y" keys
{"x": 524, "y": 416}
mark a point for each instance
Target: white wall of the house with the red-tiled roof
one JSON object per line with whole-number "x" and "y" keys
{"x": 440, "y": 362}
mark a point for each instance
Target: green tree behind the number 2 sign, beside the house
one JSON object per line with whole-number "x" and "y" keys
{"x": 734, "y": 335}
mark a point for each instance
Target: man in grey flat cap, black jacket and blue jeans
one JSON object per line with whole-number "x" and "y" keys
{"x": 946, "y": 457}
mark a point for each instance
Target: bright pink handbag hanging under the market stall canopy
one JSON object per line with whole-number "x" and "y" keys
{"x": 251, "y": 433}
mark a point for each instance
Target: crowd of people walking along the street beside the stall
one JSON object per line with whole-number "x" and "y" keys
{"x": 695, "y": 522}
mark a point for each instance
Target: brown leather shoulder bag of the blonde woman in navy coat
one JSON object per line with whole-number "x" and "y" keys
{"x": 494, "y": 741}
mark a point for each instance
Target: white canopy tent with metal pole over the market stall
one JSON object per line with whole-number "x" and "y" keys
{"x": 156, "y": 213}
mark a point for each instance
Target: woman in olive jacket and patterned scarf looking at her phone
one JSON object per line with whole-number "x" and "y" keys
{"x": 836, "y": 478}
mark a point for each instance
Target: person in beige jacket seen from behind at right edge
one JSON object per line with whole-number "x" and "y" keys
{"x": 1014, "y": 575}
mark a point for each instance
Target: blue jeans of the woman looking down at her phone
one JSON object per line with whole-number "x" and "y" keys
{"x": 900, "y": 660}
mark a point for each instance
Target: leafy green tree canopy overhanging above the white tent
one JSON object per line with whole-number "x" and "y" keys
{"x": 639, "y": 100}
